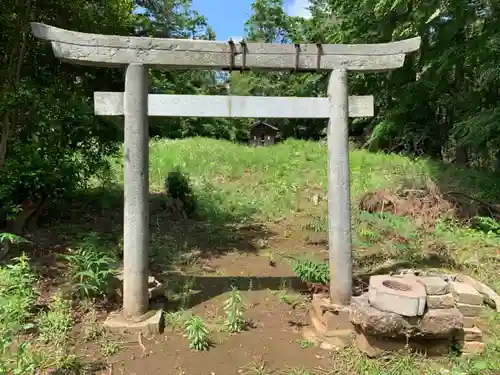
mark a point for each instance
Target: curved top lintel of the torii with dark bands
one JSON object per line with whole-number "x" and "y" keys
{"x": 114, "y": 50}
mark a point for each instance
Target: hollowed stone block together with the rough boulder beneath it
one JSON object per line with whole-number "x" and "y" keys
{"x": 392, "y": 316}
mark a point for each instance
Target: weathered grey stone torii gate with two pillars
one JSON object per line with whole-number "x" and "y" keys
{"x": 137, "y": 54}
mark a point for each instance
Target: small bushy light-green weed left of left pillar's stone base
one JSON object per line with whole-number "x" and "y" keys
{"x": 54, "y": 324}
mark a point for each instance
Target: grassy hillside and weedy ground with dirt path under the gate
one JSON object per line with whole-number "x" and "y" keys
{"x": 254, "y": 206}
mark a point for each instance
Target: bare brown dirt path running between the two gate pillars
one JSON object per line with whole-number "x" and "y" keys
{"x": 273, "y": 344}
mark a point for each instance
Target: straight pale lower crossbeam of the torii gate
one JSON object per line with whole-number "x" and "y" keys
{"x": 112, "y": 104}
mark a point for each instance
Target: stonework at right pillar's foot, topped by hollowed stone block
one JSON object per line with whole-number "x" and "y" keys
{"x": 429, "y": 315}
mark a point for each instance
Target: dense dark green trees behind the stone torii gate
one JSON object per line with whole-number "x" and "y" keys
{"x": 443, "y": 103}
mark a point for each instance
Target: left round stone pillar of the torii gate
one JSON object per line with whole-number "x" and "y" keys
{"x": 136, "y": 192}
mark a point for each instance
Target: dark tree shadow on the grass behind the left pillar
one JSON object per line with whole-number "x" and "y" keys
{"x": 218, "y": 230}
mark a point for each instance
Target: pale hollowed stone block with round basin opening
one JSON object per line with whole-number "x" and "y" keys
{"x": 403, "y": 296}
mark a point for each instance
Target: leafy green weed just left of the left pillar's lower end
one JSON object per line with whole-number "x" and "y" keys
{"x": 90, "y": 269}
